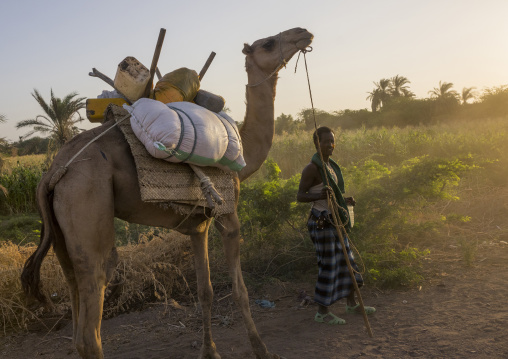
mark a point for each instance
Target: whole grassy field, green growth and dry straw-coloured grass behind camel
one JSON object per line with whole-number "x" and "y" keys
{"x": 418, "y": 189}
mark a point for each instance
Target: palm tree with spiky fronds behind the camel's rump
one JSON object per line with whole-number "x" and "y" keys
{"x": 59, "y": 120}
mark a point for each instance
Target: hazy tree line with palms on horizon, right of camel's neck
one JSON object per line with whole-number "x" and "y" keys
{"x": 394, "y": 104}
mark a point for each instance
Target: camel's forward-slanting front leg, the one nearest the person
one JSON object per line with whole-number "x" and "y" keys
{"x": 229, "y": 227}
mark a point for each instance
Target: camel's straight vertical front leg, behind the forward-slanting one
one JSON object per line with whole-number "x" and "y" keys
{"x": 205, "y": 291}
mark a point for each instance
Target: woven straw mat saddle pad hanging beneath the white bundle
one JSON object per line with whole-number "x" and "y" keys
{"x": 162, "y": 181}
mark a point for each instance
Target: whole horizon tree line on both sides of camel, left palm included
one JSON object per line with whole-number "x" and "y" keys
{"x": 392, "y": 104}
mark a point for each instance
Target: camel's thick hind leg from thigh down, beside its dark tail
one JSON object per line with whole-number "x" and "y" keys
{"x": 86, "y": 223}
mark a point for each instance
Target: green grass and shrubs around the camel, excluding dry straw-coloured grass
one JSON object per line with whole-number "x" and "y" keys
{"x": 411, "y": 186}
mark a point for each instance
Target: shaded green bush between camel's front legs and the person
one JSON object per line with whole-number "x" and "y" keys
{"x": 273, "y": 227}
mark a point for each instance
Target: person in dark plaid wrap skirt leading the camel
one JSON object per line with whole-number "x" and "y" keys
{"x": 334, "y": 281}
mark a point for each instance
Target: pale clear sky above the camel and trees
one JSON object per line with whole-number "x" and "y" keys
{"x": 54, "y": 44}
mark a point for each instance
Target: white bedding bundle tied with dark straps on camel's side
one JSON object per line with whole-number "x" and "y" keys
{"x": 186, "y": 132}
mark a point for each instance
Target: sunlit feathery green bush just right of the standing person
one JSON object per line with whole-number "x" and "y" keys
{"x": 395, "y": 207}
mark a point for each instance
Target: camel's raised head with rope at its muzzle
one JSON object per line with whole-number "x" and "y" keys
{"x": 270, "y": 54}
